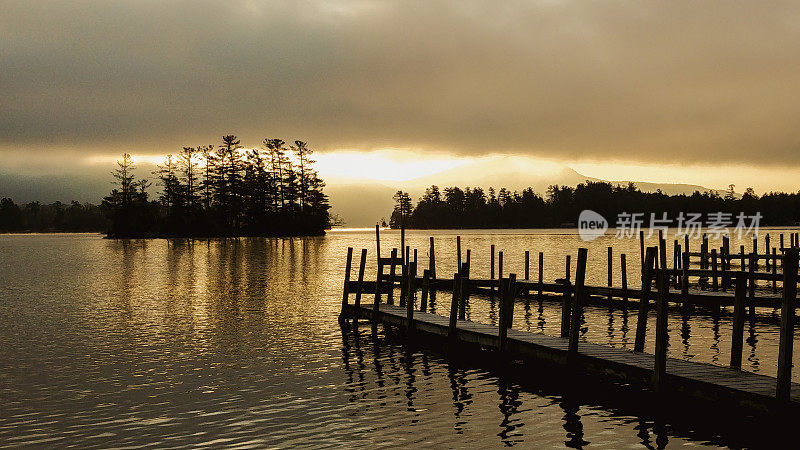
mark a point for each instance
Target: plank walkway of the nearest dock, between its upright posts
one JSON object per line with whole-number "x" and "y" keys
{"x": 699, "y": 380}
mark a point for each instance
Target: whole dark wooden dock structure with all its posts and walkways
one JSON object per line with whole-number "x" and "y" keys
{"x": 660, "y": 286}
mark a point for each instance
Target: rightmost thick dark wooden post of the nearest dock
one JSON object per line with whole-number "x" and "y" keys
{"x": 783, "y": 387}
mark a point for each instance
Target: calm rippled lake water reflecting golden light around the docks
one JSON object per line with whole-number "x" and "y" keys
{"x": 236, "y": 343}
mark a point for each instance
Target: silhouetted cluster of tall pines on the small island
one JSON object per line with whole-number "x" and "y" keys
{"x": 225, "y": 190}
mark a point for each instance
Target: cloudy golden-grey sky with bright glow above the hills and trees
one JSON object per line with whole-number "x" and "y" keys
{"x": 691, "y": 92}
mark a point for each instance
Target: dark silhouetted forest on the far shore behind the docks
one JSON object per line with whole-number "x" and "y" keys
{"x": 454, "y": 207}
